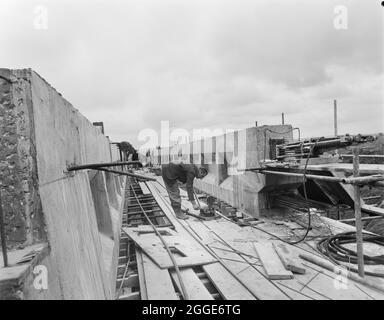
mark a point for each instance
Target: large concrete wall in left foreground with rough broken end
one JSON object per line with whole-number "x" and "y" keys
{"x": 44, "y": 203}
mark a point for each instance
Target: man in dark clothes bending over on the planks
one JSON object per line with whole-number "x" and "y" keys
{"x": 185, "y": 173}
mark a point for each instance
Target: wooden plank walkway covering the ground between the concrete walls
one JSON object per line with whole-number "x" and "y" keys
{"x": 221, "y": 260}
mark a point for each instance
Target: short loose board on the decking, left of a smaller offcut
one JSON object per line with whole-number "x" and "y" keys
{"x": 271, "y": 262}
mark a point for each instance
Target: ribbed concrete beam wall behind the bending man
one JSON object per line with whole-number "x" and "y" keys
{"x": 223, "y": 156}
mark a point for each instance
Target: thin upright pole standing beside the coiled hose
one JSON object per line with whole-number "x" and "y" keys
{"x": 358, "y": 223}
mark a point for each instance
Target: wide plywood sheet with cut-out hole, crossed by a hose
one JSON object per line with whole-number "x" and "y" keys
{"x": 191, "y": 252}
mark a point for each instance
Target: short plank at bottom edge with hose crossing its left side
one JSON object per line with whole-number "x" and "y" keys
{"x": 195, "y": 288}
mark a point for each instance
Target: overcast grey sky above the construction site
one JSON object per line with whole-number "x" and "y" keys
{"x": 205, "y": 63}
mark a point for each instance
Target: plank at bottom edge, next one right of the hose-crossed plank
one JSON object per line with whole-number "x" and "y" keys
{"x": 228, "y": 286}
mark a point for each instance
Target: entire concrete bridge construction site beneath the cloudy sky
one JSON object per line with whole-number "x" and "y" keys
{"x": 284, "y": 218}
